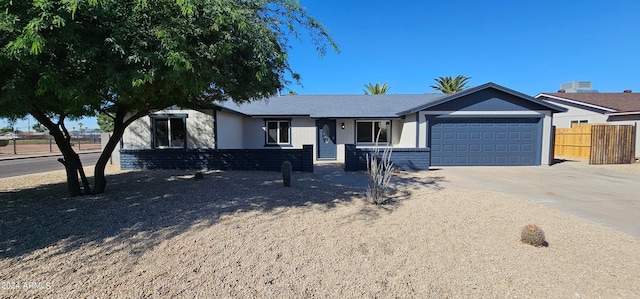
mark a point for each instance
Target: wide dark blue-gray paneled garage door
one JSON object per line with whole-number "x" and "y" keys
{"x": 463, "y": 142}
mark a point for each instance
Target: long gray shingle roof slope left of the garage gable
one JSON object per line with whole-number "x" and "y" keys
{"x": 334, "y": 106}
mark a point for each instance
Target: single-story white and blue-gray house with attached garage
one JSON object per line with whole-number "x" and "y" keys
{"x": 484, "y": 125}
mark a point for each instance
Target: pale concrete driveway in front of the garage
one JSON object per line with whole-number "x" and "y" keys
{"x": 609, "y": 195}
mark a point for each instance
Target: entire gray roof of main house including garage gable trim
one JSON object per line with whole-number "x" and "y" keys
{"x": 362, "y": 106}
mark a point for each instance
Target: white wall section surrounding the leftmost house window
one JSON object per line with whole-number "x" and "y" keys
{"x": 199, "y": 130}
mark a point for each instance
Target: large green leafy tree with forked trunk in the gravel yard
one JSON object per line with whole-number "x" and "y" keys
{"x": 62, "y": 60}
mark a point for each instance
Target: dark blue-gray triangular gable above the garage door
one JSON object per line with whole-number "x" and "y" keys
{"x": 487, "y": 97}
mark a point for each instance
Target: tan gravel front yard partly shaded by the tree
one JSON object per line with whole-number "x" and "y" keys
{"x": 239, "y": 234}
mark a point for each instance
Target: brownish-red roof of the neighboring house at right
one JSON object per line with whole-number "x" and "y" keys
{"x": 607, "y": 102}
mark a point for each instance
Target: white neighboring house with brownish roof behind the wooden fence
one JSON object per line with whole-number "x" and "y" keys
{"x": 592, "y": 107}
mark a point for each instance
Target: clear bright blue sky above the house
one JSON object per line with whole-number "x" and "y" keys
{"x": 529, "y": 46}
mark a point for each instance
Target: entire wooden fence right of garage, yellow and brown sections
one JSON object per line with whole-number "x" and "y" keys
{"x": 601, "y": 144}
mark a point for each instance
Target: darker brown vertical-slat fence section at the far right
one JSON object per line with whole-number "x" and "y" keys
{"x": 612, "y": 144}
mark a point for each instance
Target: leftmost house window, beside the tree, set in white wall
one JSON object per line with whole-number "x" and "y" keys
{"x": 169, "y": 132}
